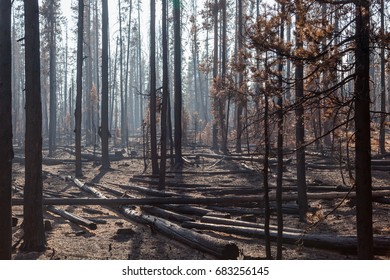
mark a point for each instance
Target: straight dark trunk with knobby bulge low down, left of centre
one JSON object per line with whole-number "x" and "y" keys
{"x": 104, "y": 125}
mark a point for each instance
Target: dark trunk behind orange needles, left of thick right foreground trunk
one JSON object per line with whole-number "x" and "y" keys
{"x": 300, "y": 122}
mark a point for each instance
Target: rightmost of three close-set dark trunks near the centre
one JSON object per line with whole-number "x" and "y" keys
{"x": 178, "y": 84}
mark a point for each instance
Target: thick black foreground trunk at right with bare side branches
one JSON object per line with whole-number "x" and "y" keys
{"x": 362, "y": 127}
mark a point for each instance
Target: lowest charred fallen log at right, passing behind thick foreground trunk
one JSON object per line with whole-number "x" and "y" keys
{"x": 344, "y": 244}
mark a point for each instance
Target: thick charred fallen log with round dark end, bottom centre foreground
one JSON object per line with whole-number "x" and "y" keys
{"x": 219, "y": 248}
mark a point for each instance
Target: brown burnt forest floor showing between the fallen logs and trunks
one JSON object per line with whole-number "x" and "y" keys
{"x": 118, "y": 237}
